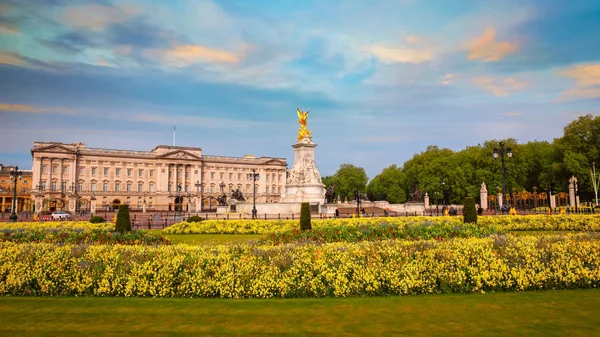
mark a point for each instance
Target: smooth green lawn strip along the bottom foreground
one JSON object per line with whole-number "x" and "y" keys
{"x": 543, "y": 313}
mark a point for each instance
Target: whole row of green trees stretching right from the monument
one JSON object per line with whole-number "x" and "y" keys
{"x": 545, "y": 165}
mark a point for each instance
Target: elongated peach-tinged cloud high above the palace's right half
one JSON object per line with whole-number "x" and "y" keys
{"x": 186, "y": 55}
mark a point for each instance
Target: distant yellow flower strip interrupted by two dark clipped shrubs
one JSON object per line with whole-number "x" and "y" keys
{"x": 502, "y": 223}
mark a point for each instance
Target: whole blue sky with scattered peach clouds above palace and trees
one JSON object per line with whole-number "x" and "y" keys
{"x": 382, "y": 79}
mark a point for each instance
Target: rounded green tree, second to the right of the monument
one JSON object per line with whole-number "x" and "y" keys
{"x": 388, "y": 185}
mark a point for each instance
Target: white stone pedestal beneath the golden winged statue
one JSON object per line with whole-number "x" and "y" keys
{"x": 304, "y": 183}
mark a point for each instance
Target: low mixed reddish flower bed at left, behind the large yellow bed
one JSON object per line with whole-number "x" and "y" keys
{"x": 81, "y": 236}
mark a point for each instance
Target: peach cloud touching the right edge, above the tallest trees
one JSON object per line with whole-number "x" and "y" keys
{"x": 587, "y": 81}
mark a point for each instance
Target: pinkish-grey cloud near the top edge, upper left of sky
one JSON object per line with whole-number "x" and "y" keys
{"x": 97, "y": 17}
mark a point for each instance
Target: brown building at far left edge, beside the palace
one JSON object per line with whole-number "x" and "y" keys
{"x": 7, "y": 190}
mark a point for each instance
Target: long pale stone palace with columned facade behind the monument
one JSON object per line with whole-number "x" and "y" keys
{"x": 74, "y": 178}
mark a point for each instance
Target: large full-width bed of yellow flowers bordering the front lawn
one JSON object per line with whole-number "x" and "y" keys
{"x": 496, "y": 263}
